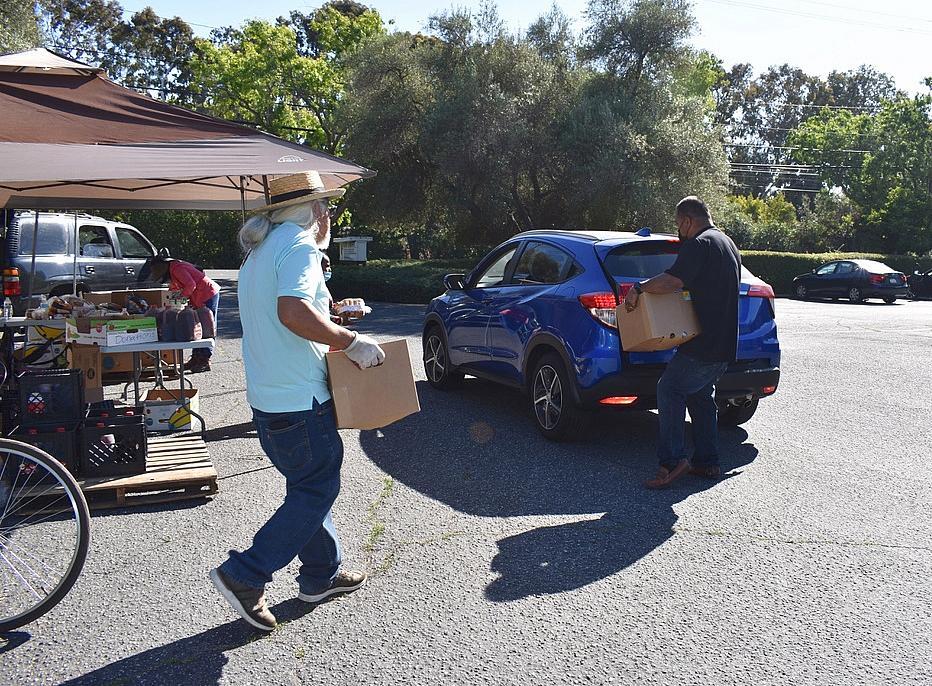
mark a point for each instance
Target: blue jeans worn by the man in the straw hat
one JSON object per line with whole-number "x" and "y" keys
{"x": 306, "y": 448}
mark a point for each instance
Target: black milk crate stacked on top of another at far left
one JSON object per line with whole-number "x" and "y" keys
{"x": 51, "y": 396}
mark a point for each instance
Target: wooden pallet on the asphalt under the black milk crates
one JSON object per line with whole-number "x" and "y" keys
{"x": 177, "y": 468}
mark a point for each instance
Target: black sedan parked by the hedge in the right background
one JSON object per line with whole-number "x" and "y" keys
{"x": 856, "y": 280}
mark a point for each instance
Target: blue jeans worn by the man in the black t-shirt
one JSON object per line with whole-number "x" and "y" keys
{"x": 688, "y": 383}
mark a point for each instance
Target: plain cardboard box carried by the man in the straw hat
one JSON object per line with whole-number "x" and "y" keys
{"x": 376, "y": 397}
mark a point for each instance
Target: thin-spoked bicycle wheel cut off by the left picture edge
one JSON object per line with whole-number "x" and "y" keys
{"x": 44, "y": 533}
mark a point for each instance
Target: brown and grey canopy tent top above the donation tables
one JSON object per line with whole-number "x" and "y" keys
{"x": 70, "y": 137}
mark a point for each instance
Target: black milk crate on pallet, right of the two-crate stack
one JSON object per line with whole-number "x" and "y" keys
{"x": 113, "y": 446}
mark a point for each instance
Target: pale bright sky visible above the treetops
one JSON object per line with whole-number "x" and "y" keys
{"x": 815, "y": 35}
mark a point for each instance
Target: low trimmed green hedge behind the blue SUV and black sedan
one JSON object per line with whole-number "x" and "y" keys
{"x": 418, "y": 281}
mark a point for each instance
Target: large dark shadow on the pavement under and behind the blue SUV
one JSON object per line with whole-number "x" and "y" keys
{"x": 477, "y": 450}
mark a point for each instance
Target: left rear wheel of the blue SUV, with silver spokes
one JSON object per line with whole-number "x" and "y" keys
{"x": 556, "y": 415}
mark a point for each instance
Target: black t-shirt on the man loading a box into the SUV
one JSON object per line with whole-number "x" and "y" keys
{"x": 709, "y": 265}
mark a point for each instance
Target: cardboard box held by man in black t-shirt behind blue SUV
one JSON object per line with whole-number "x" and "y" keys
{"x": 659, "y": 322}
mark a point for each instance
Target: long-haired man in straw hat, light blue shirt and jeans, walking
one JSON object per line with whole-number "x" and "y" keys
{"x": 286, "y": 332}
